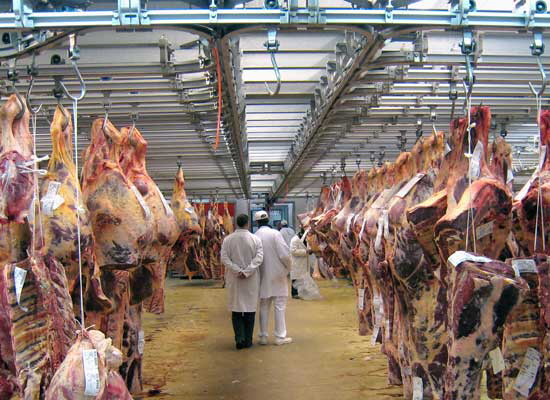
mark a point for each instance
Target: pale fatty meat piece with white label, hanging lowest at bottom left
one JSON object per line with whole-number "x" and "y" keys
{"x": 69, "y": 382}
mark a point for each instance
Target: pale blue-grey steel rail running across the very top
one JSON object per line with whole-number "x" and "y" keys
{"x": 25, "y": 18}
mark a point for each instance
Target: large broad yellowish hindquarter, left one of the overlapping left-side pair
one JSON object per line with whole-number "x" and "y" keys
{"x": 121, "y": 220}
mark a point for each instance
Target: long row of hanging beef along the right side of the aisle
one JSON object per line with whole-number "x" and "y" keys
{"x": 451, "y": 269}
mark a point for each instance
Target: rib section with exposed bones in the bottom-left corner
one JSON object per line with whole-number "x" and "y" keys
{"x": 40, "y": 321}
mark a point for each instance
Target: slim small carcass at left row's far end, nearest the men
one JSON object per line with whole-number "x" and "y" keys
{"x": 190, "y": 229}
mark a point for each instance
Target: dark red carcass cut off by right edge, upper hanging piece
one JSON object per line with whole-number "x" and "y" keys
{"x": 533, "y": 199}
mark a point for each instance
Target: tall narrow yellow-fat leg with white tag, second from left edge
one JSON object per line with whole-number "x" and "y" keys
{"x": 63, "y": 217}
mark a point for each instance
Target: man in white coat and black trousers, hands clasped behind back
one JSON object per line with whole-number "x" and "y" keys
{"x": 242, "y": 255}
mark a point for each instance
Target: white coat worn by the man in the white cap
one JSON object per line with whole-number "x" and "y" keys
{"x": 276, "y": 264}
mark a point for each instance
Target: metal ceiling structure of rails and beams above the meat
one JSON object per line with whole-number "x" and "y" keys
{"x": 358, "y": 84}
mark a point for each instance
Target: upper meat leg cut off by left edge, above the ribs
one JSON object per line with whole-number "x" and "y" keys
{"x": 16, "y": 183}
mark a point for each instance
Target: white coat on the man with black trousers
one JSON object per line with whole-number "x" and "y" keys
{"x": 242, "y": 252}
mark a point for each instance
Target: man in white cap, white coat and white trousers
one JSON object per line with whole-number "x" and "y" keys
{"x": 273, "y": 279}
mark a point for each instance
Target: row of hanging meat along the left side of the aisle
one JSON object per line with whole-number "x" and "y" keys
{"x": 113, "y": 228}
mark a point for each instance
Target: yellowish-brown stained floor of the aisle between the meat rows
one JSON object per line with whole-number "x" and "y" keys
{"x": 190, "y": 354}
